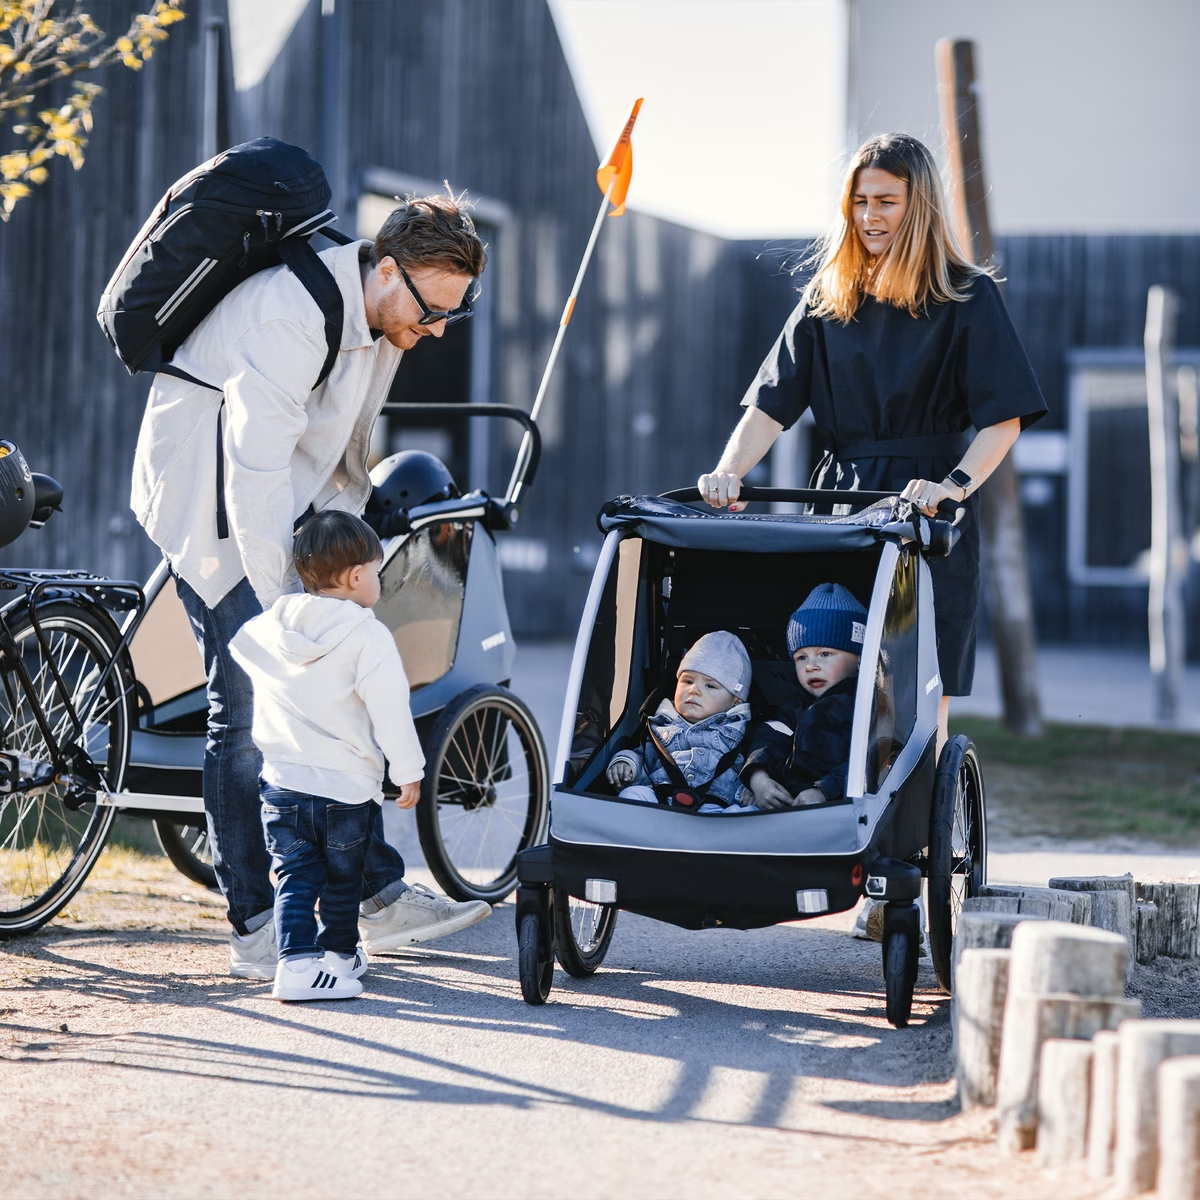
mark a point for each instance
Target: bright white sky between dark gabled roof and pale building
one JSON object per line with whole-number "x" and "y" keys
{"x": 742, "y": 133}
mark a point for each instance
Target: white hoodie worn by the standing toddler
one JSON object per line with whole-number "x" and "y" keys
{"x": 331, "y": 699}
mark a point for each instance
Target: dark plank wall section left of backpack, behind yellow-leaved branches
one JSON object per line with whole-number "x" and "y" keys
{"x": 65, "y": 398}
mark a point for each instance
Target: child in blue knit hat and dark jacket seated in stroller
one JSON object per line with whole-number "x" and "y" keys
{"x": 801, "y": 755}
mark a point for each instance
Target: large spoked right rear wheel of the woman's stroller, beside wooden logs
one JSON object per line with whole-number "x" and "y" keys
{"x": 958, "y": 848}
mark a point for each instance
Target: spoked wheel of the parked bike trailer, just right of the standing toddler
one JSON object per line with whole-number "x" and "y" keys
{"x": 485, "y": 794}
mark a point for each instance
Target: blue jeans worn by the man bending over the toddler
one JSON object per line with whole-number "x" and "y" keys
{"x": 232, "y": 765}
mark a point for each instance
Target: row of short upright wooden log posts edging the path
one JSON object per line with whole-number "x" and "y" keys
{"x": 1045, "y": 1033}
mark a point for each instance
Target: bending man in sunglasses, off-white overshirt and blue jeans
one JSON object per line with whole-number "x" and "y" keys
{"x": 286, "y": 448}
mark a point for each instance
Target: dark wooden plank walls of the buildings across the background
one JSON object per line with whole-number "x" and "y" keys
{"x": 669, "y": 331}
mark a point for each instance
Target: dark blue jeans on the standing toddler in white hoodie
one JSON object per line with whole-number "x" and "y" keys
{"x": 317, "y": 850}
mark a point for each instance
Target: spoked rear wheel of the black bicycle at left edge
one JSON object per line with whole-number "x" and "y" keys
{"x": 50, "y": 842}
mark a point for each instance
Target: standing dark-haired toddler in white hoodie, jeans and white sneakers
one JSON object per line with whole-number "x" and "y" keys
{"x": 331, "y": 705}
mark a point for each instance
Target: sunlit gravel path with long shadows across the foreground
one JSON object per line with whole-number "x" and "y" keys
{"x": 715, "y": 1064}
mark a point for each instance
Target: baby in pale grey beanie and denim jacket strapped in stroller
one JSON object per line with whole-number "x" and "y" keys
{"x": 700, "y": 733}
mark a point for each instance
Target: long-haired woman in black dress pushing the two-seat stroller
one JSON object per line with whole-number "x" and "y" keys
{"x": 899, "y": 345}
